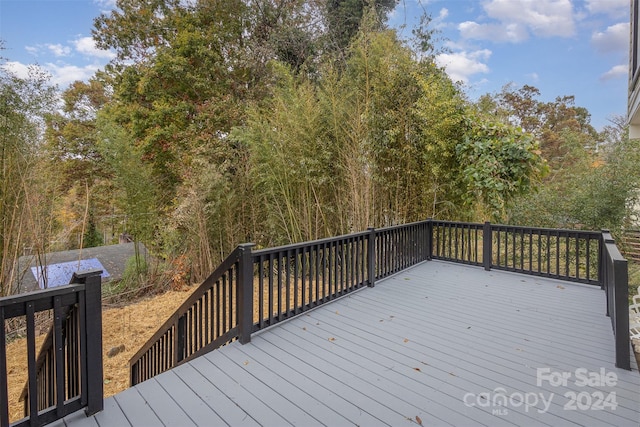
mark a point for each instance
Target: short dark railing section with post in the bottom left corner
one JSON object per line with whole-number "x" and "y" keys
{"x": 67, "y": 374}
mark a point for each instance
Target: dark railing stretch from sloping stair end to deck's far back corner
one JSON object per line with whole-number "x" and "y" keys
{"x": 252, "y": 290}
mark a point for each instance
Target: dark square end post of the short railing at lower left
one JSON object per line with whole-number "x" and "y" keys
{"x": 93, "y": 327}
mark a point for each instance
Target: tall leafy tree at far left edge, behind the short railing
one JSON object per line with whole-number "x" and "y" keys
{"x": 25, "y": 211}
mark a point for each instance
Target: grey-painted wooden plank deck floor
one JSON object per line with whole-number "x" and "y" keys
{"x": 437, "y": 344}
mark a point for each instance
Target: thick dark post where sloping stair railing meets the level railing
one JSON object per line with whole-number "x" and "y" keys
{"x": 245, "y": 292}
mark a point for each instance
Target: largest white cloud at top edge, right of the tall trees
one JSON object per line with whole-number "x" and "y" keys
{"x": 514, "y": 20}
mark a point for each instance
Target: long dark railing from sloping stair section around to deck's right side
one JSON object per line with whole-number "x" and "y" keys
{"x": 255, "y": 289}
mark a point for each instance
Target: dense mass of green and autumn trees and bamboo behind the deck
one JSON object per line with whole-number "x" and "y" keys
{"x": 280, "y": 121}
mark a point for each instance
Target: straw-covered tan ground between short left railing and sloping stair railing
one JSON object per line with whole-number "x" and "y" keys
{"x": 129, "y": 326}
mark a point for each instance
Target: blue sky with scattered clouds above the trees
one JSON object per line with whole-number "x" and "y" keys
{"x": 562, "y": 47}
